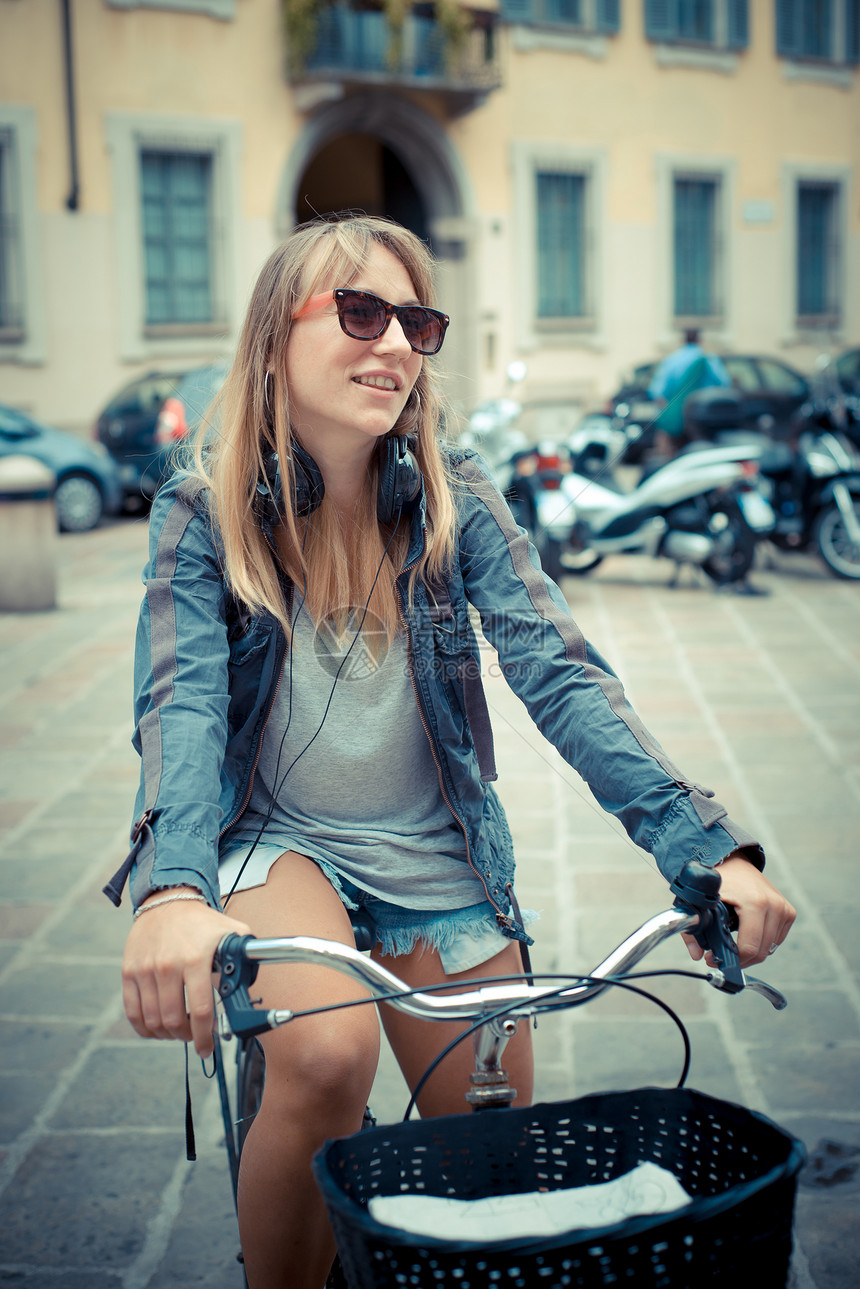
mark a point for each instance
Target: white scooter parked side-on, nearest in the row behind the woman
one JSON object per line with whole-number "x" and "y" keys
{"x": 690, "y": 510}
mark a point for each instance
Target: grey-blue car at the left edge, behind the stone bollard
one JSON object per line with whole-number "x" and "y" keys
{"x": 88, "y": 484}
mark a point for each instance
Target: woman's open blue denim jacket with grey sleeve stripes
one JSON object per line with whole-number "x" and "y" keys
{"x": 207, "y": 674}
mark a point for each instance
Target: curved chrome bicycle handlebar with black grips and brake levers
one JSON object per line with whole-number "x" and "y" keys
{"x": 697, "y": 909}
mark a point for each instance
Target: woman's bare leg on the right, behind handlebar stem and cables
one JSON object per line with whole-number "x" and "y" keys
{"x": 416, "y": 1043}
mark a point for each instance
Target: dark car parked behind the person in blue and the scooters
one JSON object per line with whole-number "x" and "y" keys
{"x": 773, "y": 393}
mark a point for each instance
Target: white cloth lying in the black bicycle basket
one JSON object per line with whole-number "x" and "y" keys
{"x": 647, "y": 1189}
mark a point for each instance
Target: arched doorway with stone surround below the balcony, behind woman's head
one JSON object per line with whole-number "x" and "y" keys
{"x": 385, "y": 155}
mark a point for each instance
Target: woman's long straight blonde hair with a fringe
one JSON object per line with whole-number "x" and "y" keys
{"x": 335, "y": 560}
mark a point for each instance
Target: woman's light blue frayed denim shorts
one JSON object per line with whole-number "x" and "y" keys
{"x": 462, "y": 938}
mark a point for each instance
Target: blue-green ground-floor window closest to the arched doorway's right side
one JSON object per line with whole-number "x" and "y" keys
{"x": 562, "y": 225}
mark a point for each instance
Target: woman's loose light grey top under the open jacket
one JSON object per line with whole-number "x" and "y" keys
{"x": 347, "y": 775}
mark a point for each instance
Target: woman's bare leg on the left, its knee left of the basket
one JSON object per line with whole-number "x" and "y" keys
{"x": 319, "y": 1073}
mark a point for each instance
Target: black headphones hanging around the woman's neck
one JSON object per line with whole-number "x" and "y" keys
{"x": 399, "y": 485}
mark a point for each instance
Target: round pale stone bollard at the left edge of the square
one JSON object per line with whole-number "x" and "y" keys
{"x": 28, "y": 536}
